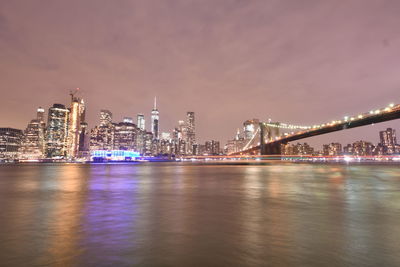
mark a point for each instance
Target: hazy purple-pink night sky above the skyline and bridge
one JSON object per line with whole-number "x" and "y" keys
{"x": 302, "y": 62}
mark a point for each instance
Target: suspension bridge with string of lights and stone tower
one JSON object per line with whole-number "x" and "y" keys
{"x": 263, "y": 144}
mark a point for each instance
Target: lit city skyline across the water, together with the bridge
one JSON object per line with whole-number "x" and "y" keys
{"x": 68, "y": 136}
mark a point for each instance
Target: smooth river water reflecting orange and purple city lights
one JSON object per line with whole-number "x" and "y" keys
{"x": 184, "y": 214}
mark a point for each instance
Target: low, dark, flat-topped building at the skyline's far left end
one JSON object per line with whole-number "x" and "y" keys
{"x": 10, "y": 143}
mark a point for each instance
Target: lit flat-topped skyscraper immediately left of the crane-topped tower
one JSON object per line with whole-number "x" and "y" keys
{"x": 57, "y": 131}
